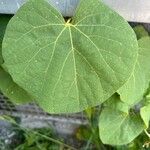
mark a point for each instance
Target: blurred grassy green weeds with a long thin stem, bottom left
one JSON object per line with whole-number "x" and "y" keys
{"x": 35, "y": 139}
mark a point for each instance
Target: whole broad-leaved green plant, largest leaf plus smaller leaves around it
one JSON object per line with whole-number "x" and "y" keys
{"x": 92, "y": 58}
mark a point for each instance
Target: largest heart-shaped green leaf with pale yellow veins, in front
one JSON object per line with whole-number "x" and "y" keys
{"x": 69, "y": 66}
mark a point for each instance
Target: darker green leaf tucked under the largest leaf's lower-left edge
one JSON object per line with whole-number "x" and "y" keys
{"x": 12, "y": 90}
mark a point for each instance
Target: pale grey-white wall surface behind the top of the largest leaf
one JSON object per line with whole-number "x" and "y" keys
{"x": 131, "y": 10}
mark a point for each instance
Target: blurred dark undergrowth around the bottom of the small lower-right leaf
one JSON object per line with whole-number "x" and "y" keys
{"x": 89, "y": 134}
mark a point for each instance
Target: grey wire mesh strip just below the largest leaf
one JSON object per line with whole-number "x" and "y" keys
{"x": 32, "y": 110}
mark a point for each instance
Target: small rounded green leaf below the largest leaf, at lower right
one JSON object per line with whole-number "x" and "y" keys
{"x": 117, "y": 127}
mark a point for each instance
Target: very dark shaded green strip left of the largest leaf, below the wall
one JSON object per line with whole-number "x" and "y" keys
{"x": 3, "y": 23}
